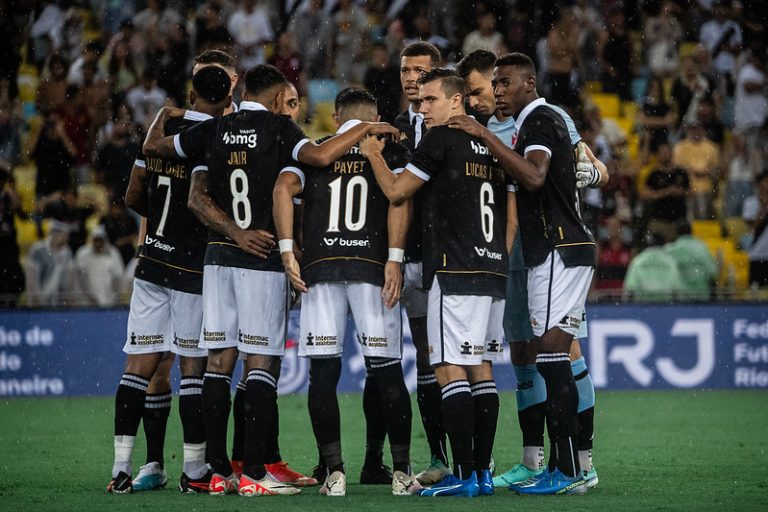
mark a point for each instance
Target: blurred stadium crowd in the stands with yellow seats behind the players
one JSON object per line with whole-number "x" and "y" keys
{"x": 670, "y": 94}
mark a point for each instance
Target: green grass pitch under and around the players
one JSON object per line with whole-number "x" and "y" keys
{"x": 654, "y": 451}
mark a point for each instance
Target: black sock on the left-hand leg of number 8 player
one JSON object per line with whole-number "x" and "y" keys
{"x": 216, "y": 405}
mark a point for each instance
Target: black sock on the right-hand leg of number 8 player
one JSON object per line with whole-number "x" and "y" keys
{"x": 260, "y": 399}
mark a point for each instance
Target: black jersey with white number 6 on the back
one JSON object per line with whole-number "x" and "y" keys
{"x": 465, "y": 213}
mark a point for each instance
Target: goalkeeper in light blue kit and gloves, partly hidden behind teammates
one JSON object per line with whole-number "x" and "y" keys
{"x": 477, "y": 71}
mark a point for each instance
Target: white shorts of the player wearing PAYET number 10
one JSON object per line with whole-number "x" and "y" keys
{"x": 324, "y": 310}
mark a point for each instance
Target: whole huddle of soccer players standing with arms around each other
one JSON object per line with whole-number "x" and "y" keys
{"x": 473, "y": 227}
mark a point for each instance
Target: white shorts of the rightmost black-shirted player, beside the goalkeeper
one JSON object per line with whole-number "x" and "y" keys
{"x": 557, "y": 295}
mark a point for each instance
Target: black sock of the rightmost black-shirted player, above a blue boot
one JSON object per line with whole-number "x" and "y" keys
{"x": 562, "y": 406}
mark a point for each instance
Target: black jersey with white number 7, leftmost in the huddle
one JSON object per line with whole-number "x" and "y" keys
{"x": 174, "y": 246}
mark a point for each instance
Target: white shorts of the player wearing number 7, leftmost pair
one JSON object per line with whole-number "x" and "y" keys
{"x": 162, "y": 319}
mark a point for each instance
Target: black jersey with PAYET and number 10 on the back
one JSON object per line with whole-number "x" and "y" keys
{"x": 345, "y": 219}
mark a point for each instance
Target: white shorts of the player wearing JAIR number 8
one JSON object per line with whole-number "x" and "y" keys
{"x": 245, "y": 308}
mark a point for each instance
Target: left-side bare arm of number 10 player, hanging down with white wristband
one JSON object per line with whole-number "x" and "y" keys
{"x": 289, "y": 184}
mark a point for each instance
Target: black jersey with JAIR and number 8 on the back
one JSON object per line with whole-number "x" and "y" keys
{"x": 243, "y": 154}
